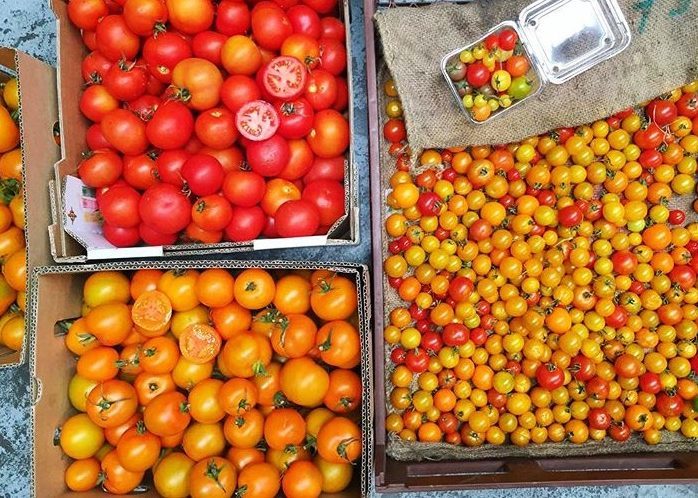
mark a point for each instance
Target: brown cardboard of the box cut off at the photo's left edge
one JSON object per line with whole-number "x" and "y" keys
{"x": 38, "y": 116}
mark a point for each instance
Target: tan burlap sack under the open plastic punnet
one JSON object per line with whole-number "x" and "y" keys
{"x": 663, "y": 54}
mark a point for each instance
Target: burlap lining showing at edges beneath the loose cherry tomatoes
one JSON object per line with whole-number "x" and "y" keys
{"x": 415, "y": 451}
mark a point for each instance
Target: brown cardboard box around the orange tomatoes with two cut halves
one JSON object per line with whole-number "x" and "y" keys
{"x": 57, "y": 295}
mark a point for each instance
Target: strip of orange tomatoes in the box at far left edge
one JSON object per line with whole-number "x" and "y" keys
{"x": 12, "y": 244}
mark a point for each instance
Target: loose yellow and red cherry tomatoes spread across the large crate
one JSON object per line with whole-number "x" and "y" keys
{"x": 549, "y": 291}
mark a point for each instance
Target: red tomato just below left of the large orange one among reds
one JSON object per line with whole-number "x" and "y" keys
{"x": 171, "y": 126}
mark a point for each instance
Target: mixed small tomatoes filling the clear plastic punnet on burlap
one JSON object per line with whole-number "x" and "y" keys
{"x": 492, "y": 75}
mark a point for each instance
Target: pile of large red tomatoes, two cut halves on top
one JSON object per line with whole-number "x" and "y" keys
{"x": 212, "y": 120}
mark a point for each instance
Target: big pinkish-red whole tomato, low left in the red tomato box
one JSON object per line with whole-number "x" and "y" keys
{"x": 165, "y": 209}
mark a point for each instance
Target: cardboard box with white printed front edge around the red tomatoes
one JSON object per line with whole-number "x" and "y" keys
{"x": 76, "y": 235}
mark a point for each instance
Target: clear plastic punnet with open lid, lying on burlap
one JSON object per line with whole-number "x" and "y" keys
{"x": 561, "y": 39}
